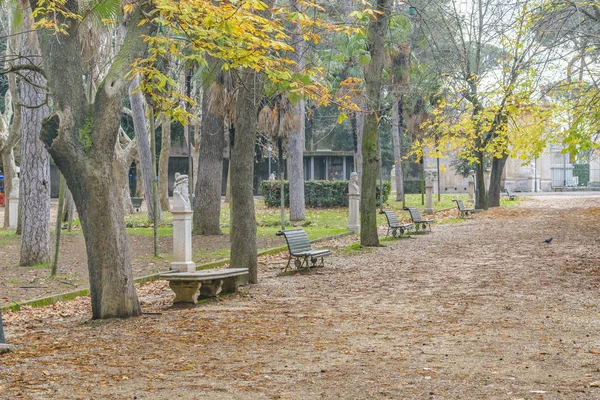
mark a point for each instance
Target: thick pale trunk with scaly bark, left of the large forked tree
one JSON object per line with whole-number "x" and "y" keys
{"x": 35, "y": 160}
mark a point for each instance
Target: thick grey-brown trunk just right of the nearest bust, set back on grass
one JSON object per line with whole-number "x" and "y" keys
{"x": 207, "y": 210}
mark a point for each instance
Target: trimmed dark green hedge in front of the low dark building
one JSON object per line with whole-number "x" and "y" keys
{"x": 316, "y": 193}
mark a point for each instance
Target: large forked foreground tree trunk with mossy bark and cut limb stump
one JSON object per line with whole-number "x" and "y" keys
{"x": 81, "y": 138}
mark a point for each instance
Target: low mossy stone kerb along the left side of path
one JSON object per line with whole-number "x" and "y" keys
{"x": 46, "y": 301}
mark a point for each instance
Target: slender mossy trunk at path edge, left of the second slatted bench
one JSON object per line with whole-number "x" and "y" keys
{"x": 373, "y": 80}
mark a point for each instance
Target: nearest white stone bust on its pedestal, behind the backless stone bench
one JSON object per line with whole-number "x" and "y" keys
{"x": 182, "y": 227}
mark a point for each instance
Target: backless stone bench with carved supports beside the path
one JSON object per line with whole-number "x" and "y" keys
{"x": 211, "y": 282}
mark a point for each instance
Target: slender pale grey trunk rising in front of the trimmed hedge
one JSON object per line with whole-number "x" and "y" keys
{"x": 296, "y": 137}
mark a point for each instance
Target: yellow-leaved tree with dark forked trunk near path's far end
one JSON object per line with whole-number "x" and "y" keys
{"x": 489, "y": 59}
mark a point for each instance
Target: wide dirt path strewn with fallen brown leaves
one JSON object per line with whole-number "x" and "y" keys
{"x": 484, "y": 309}
